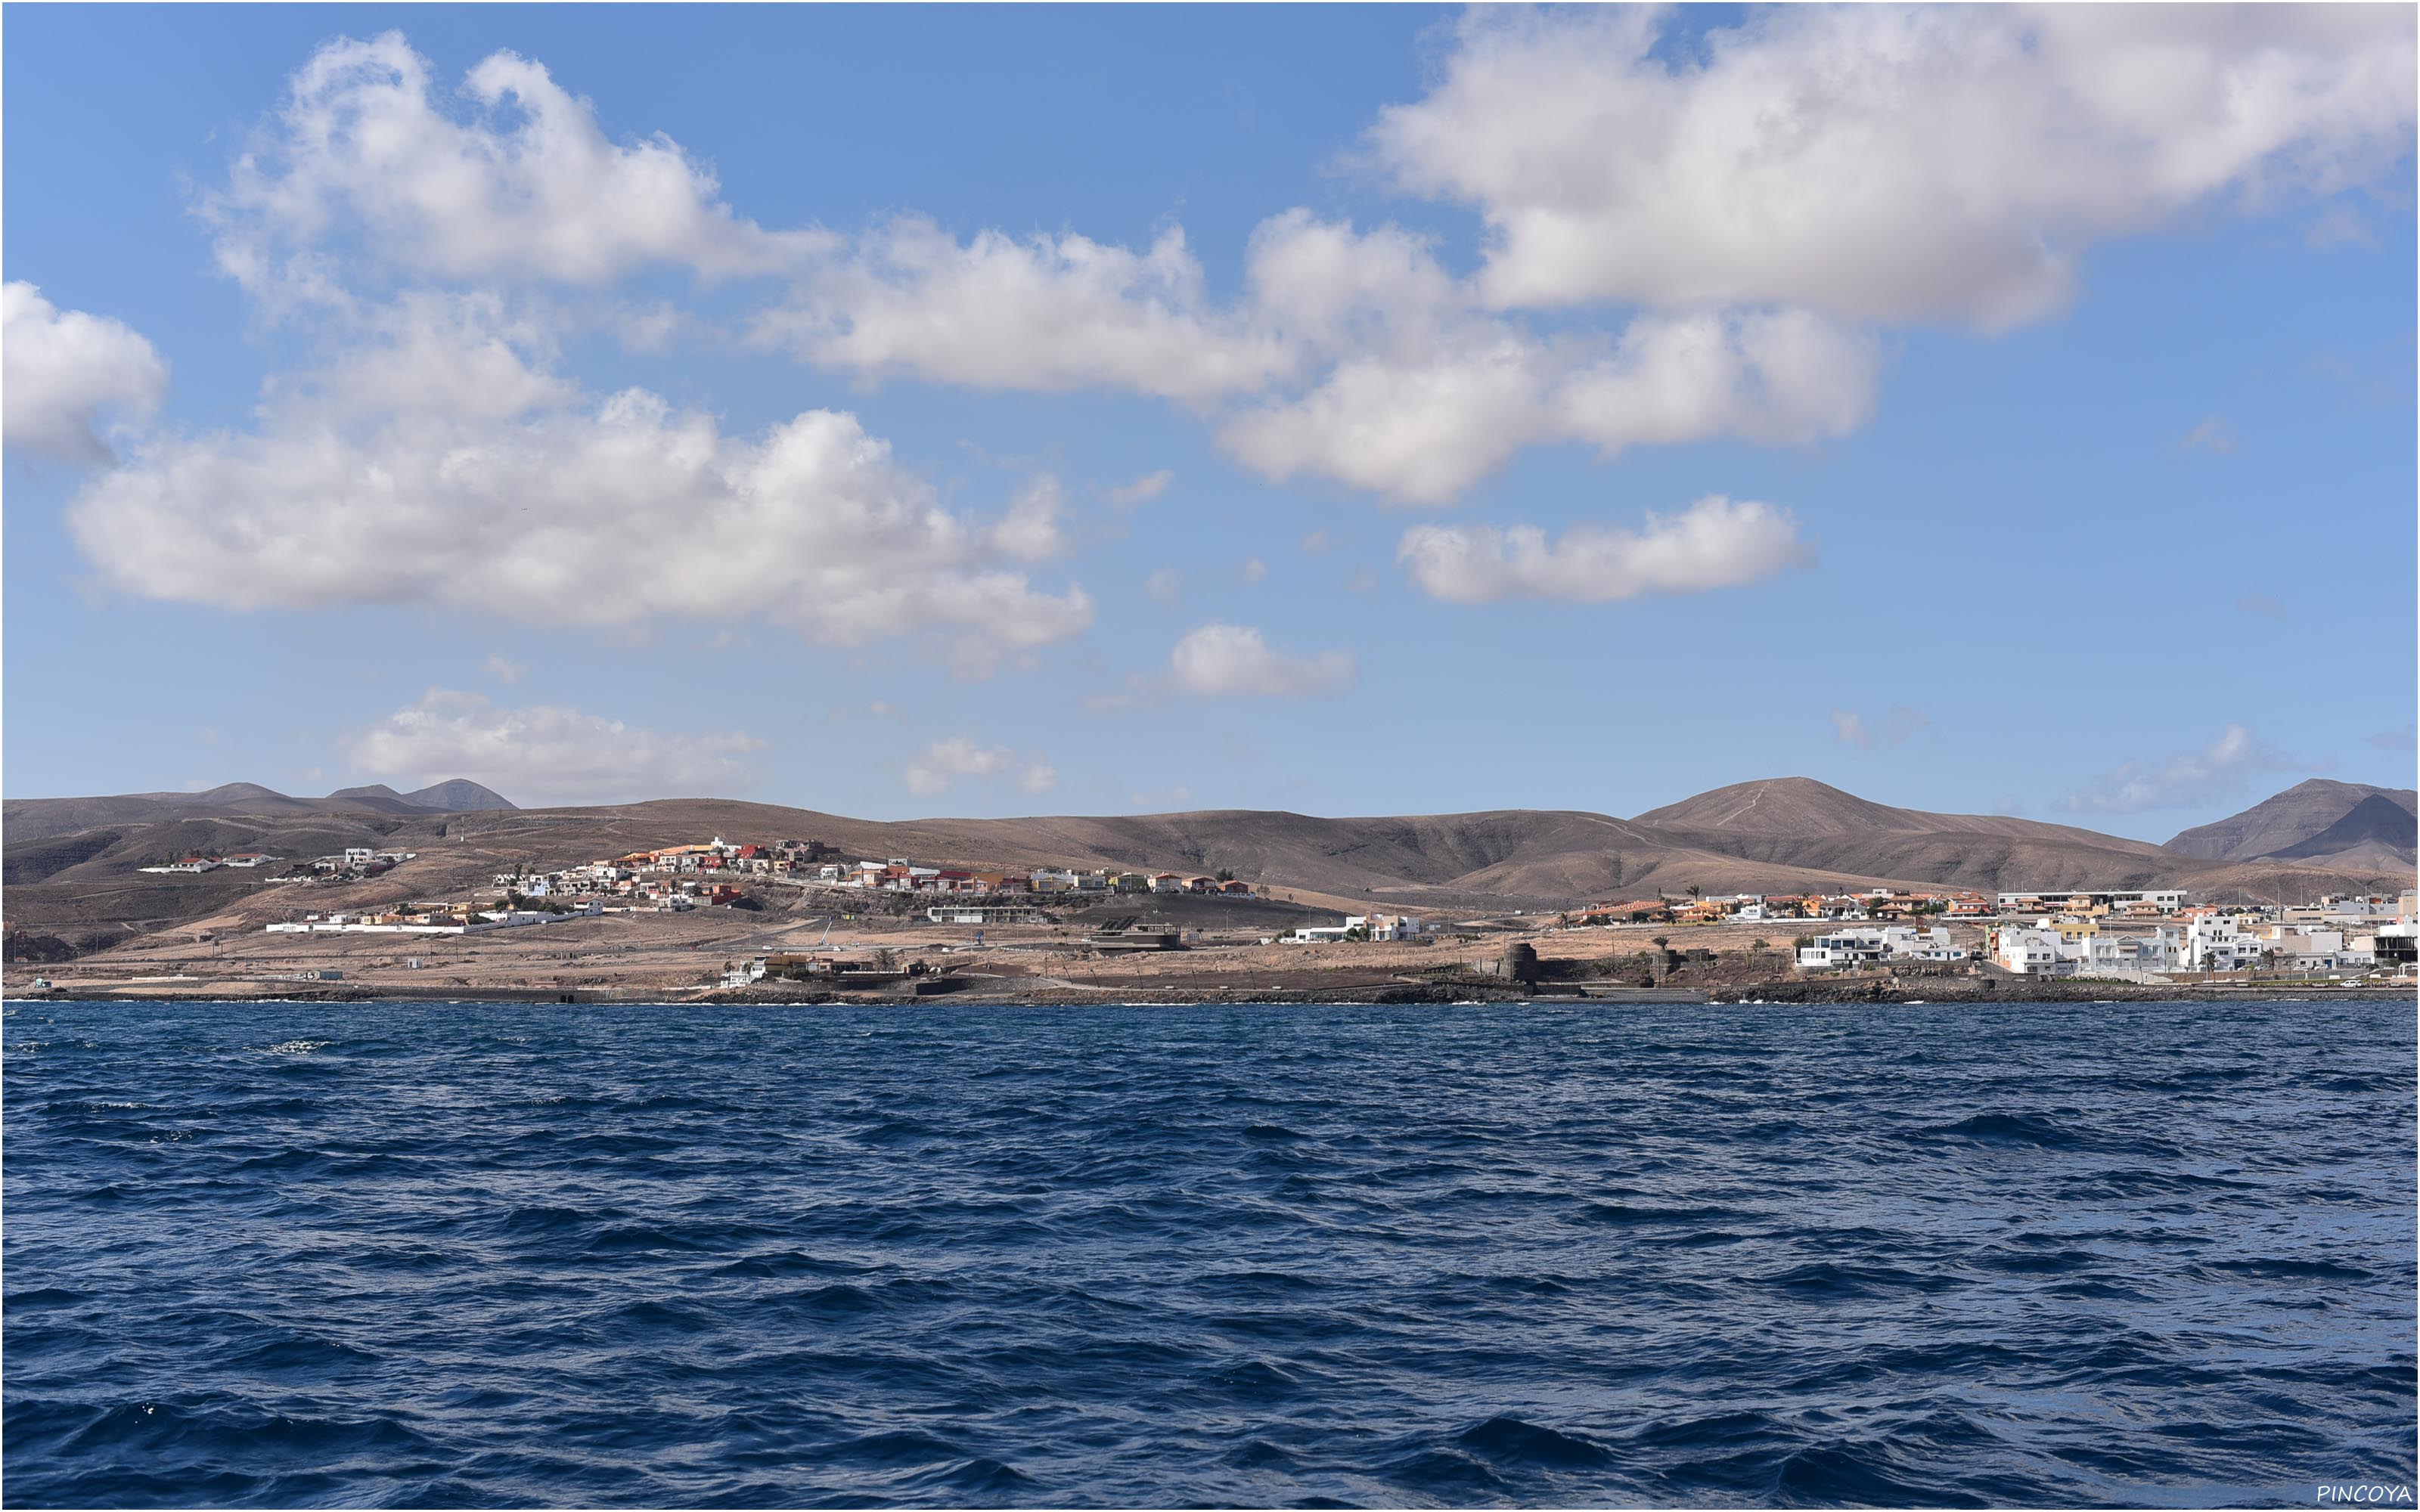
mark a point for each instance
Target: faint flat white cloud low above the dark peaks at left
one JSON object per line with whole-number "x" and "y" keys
{"x": 548, "y": 754}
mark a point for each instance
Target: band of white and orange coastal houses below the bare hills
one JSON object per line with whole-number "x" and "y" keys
{"x": 909, "y": 925}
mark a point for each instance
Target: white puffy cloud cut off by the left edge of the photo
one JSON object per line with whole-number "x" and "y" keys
{"x": 62, "y": 371}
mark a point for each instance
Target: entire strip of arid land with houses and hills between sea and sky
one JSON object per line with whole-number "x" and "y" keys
{"x": 650, "y": 908}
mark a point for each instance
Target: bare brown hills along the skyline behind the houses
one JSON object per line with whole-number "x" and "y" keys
{"x": 1748, "y": 838}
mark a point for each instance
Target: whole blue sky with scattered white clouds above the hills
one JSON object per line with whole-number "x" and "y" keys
{"x": 1112, "y": 410}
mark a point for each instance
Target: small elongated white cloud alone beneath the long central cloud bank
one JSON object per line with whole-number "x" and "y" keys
{"x": 1715, "y": 543}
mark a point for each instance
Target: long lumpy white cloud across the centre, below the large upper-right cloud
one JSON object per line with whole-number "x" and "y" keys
{"x": 1352, "y": 354}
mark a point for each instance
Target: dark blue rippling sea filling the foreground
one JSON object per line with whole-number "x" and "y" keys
{"x": 471, "y": 1254}
